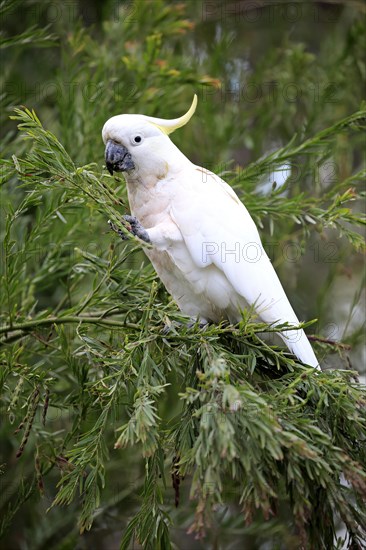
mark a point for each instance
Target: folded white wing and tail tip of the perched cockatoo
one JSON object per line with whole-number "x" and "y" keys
{"x": 217, "y": 229}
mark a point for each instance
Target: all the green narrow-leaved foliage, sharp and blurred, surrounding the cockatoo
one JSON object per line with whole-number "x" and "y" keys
{"x": 120, "y": 421}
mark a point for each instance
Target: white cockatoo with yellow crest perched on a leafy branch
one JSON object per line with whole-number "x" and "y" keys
{"x": 205, "y": 246}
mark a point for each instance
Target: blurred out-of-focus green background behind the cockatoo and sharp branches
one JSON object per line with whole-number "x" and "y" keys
{"x": 263, "y": 72}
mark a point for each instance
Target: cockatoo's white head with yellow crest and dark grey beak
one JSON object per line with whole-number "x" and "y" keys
{"x": 139, "y": 144}
